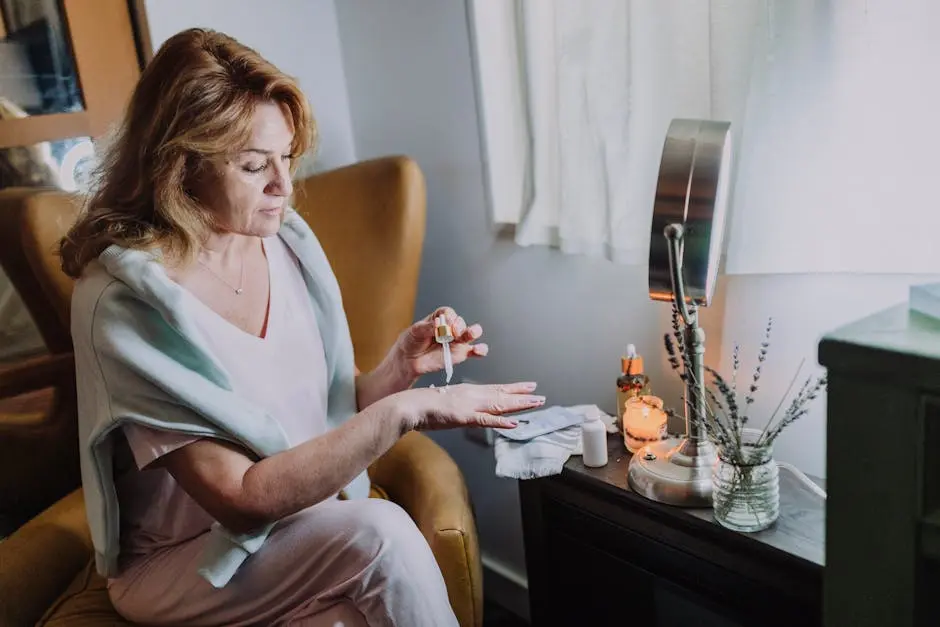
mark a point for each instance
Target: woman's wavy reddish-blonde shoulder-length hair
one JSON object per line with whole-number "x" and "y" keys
{"x": 193, "y": 104}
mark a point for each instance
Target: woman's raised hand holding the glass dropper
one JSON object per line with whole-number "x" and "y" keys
{"x": 418, "y": 353}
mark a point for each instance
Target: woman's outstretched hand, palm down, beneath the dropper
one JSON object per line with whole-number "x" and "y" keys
{"x": 464, "y": 405}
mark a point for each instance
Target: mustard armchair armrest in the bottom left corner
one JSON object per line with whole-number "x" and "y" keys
{"x": 41, "y": 558}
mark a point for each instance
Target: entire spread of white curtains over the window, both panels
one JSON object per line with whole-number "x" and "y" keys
{"x": 833, "y": 105}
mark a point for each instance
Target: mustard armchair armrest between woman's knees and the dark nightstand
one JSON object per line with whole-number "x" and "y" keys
{"x": 425, "y": 481}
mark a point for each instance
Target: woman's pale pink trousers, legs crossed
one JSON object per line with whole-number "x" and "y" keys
{"x": 347, "y": 563}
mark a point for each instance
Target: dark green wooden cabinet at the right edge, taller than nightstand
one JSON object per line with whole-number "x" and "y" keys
{"x": 883, "y": 467}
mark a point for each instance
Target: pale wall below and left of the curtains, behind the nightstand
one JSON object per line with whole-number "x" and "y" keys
{"x": 562, "y": 321}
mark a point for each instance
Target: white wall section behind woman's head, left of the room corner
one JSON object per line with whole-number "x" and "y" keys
{"x": 299, "y": 36}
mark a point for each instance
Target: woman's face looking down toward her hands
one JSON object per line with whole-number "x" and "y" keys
{"x": 248, "y": 191}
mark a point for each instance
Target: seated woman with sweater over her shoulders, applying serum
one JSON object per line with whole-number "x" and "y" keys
{"x": 225, "y": 430}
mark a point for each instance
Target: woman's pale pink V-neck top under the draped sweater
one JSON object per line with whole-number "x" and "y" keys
{"x": 283, "y": 372}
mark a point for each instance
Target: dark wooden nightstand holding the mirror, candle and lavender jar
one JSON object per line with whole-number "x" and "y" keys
{"x": 599, "y": 554}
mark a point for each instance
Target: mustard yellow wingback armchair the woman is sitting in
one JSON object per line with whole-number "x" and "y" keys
{"x": 370, "y": 219}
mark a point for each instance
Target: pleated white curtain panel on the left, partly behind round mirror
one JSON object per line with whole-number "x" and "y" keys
{"x": 576, "y": 96}
